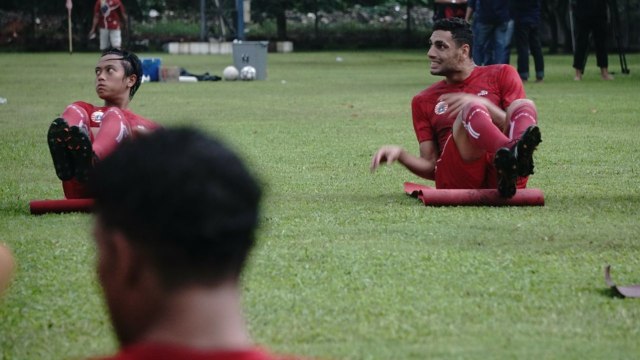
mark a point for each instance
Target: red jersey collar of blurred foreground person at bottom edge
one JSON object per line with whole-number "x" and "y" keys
{"x": 171, "y": 352}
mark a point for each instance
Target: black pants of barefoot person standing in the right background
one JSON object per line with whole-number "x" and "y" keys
{"x": 584, "y": 28}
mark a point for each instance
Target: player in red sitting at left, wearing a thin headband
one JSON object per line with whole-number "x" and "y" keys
{"x": 85, "y": 133}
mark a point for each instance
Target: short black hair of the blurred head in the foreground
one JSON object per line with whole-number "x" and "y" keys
{"x": 182, "y": 198}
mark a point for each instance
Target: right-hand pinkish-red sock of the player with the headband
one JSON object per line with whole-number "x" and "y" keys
{"x": 113, "y": 130}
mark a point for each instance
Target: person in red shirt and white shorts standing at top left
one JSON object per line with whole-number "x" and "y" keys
{"x": 109, "y": 16}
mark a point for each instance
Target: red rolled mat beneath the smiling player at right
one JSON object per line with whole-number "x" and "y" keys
{"x": 473, "y": 197}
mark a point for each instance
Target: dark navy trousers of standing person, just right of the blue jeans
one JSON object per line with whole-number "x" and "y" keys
{"x": 528, "y": 39}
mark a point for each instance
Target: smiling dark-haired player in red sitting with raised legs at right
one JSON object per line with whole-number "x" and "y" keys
{"x": 475, "y": 128}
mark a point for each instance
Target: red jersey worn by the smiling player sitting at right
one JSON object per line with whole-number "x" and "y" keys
{"x": 500, "y": 84}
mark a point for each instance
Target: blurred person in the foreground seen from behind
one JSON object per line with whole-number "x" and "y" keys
{"x": 175, "y": 219}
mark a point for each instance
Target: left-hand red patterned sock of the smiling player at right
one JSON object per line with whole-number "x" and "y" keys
{"x": 481, "y": 131}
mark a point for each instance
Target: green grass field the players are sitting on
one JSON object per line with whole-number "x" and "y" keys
{"x": 347, "y": 266}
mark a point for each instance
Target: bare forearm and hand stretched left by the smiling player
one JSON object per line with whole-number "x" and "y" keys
{"x": 423, "y": 166}
